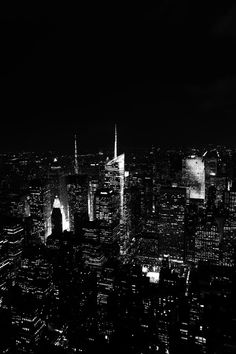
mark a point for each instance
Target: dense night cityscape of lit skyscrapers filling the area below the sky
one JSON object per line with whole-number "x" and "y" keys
{"x": 133, "y": 254}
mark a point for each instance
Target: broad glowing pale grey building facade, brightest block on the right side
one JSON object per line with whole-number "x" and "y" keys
{"x": 194, "y": 177}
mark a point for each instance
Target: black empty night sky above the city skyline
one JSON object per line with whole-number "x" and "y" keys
{"x": 166, "y": 75}
